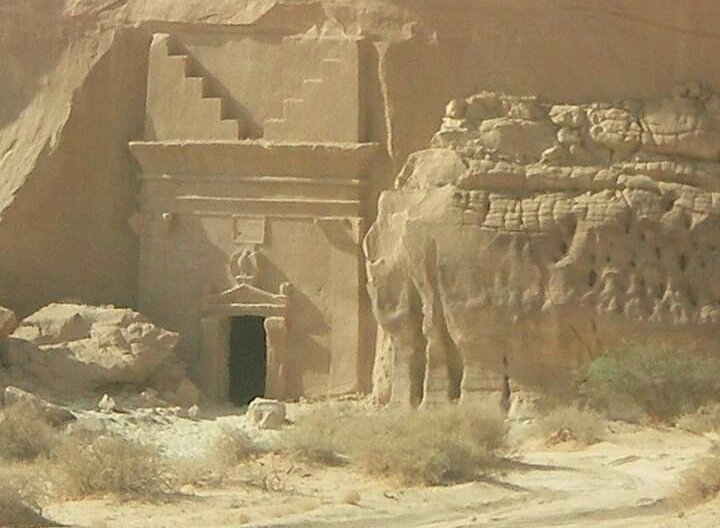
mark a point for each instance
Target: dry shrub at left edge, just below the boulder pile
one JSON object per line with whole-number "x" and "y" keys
{"x": 25, "y": 435}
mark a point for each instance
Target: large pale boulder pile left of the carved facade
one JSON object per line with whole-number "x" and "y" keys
{"x": 68, "y": 349}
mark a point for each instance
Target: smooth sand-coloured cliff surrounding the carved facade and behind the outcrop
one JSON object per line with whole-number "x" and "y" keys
{"x": 74, "y": 87}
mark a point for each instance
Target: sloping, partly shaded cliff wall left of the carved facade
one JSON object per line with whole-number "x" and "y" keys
{"x": 75, "y": 96}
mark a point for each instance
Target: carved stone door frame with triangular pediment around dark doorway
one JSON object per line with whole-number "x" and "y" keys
{"x": 244, "y": 299}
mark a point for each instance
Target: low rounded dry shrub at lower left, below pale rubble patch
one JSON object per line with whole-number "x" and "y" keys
{"x": 109, "y": 465}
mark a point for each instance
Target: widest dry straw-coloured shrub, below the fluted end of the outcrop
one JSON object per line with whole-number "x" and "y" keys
{"x": 436, "y": 446}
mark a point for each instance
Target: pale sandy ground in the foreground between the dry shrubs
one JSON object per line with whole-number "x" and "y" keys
{"x": 621, "y": 482}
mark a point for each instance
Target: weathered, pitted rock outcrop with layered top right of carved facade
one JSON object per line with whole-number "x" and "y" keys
{"x": 532, "y": 236}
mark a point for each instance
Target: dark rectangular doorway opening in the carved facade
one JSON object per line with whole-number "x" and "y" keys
{"x": 247, "y": 362}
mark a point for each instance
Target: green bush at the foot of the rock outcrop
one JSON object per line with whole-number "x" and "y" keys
{"x": 664, "y": 382}
